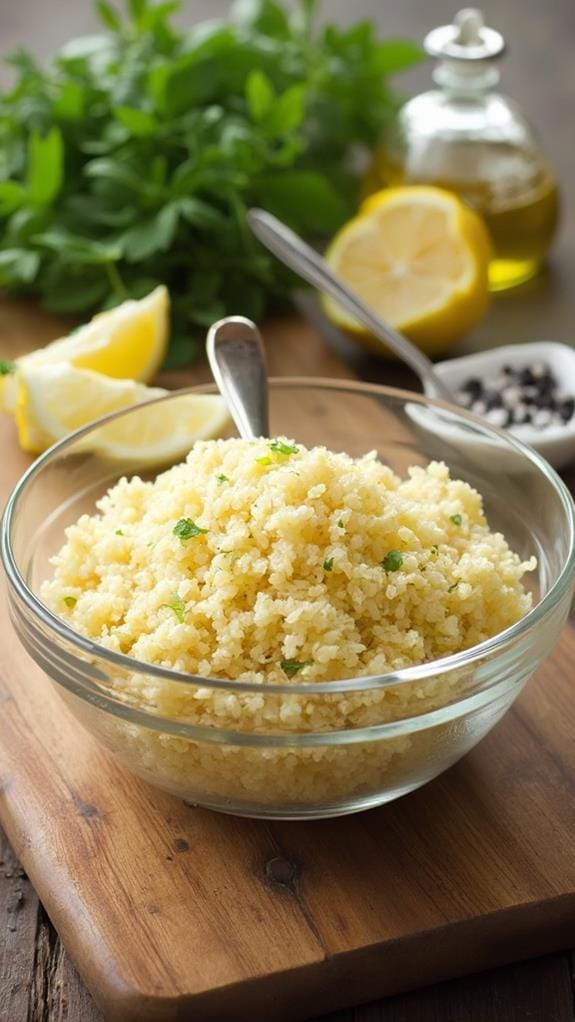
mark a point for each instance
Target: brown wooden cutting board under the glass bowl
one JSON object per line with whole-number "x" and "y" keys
{"x": 173, "y": 913}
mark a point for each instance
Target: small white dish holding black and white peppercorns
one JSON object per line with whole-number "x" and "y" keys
{"x": 557, "y": 444}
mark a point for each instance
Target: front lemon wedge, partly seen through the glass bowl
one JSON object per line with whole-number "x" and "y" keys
{"x": 56, "y": 399}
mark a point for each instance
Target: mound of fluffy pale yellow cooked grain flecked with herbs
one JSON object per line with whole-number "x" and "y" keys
{"x": 267, "y": 563}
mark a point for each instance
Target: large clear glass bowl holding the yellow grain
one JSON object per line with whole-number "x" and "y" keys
{"x": 141, "y": 713}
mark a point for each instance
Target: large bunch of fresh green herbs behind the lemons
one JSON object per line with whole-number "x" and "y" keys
{"x": 264, "y": 109}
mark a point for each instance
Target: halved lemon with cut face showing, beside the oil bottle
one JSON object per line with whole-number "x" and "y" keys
{"x": 419, "y": 257}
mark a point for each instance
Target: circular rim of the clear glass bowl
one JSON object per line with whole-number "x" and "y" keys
{"x": 404, "y": 676}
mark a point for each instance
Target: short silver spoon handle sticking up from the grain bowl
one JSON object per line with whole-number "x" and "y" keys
{"x": 237, "y": 359}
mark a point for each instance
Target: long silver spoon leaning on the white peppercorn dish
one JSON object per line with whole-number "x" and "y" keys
{"x": 291, "y": 249}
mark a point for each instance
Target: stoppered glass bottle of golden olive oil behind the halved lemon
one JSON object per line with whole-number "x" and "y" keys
{"x": 473, "y": 142}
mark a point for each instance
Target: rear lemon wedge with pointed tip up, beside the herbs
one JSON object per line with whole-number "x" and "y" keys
{"x": 127, "y": 342}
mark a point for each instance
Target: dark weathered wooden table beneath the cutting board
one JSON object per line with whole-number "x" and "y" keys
{"x": 38, "y": 983}
